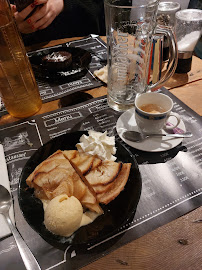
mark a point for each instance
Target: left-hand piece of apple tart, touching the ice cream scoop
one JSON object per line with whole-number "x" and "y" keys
{"x": 56, "y": 176}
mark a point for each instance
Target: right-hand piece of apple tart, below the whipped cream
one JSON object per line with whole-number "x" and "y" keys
{"x": 106, "y": 178}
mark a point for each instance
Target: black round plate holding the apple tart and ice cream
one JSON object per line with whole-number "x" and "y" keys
{"x": 116, "y": 214}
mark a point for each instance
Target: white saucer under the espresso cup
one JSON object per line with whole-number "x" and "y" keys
{"x": 153, "y": 144}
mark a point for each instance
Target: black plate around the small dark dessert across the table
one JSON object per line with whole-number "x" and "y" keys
{"x": 78, "y": 68}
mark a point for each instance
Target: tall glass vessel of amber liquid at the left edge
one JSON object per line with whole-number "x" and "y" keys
{"x": 18, "y": 87}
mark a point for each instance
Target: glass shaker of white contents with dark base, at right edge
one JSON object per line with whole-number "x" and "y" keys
{"x": 188, "y": 29}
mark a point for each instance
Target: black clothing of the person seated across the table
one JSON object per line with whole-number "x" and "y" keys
{"x": 79, "y": 18}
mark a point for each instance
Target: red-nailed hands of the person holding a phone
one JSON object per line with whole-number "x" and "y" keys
{"x": 46, "y": 11}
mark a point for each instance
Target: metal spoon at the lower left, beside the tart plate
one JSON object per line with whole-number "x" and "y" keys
{"x": 27, "y": 256}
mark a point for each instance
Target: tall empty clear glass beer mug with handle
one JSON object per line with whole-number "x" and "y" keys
{"x": 131, "y": 26}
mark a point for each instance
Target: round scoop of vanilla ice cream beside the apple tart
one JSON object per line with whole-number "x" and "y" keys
{"x": 63, "y": 215}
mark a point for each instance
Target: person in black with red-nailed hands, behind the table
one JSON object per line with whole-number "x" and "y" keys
{"x": 76, "y": 18}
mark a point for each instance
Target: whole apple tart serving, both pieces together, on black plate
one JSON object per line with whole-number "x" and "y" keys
{"x": 88, "y": 178}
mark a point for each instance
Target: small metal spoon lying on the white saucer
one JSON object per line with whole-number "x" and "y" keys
{"x": 135, "y": 136}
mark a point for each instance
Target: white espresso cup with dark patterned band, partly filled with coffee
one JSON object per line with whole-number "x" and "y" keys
{"x": 152, "y": 111}
